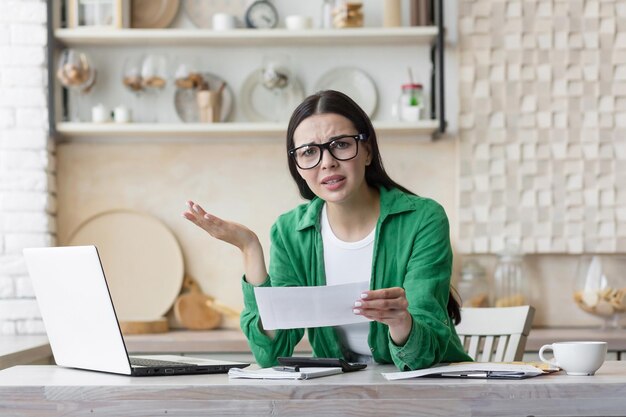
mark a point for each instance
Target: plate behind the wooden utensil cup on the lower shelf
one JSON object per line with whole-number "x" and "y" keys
{"x": 187, "y": 107}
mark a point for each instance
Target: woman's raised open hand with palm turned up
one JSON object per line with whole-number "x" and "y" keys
{"x": 229, "y": 232}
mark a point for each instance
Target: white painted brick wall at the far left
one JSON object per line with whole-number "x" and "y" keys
{"x": 27, "y": 178}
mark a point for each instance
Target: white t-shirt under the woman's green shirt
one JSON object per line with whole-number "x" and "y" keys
{"x": 347, "y": 262}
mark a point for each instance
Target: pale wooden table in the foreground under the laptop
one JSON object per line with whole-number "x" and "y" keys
{"x": 52, "y": 391}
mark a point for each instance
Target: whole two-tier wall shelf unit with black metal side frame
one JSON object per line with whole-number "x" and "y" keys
{"x": 431, "y": 37}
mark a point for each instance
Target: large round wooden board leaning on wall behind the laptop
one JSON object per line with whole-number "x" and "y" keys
{"x": 142, "y": 261}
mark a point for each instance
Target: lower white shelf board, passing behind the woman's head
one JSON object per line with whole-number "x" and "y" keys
{"x": 76, "y": 131}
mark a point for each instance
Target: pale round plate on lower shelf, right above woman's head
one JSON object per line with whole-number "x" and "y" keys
{"x": 353, "y": 82}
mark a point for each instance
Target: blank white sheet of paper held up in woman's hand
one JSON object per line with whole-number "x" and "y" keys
{"x": 305, "y": 307}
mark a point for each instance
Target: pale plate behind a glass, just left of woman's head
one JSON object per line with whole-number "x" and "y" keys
{"x": 260, "y": 104}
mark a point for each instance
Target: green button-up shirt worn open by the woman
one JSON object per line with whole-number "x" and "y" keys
{"x": 411, "y": 250}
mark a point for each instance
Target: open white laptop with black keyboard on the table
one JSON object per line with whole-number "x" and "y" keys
{"x": 81, "y": 322}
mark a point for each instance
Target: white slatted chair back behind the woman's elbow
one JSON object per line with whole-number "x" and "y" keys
{"x": 495, "y": 334}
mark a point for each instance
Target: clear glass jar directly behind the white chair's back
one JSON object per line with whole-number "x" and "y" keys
{"x": 510, "y": 286}
